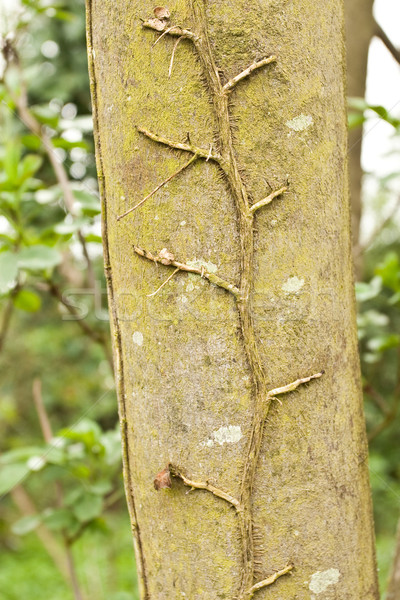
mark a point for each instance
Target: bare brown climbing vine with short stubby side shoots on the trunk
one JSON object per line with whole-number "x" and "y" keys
{"x": 225, "y": 160}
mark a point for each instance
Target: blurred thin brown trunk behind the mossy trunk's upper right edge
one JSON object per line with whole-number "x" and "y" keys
{"x": 359, "y": 31}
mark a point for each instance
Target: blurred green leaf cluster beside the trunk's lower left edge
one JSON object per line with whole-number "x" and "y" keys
{"x": 83, "y": 460}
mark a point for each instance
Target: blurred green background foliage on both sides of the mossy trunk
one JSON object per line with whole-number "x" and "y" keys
{"x": 64, "y": 528}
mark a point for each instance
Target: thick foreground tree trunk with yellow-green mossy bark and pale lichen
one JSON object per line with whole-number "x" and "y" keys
{"x": 236, "y": 102}
